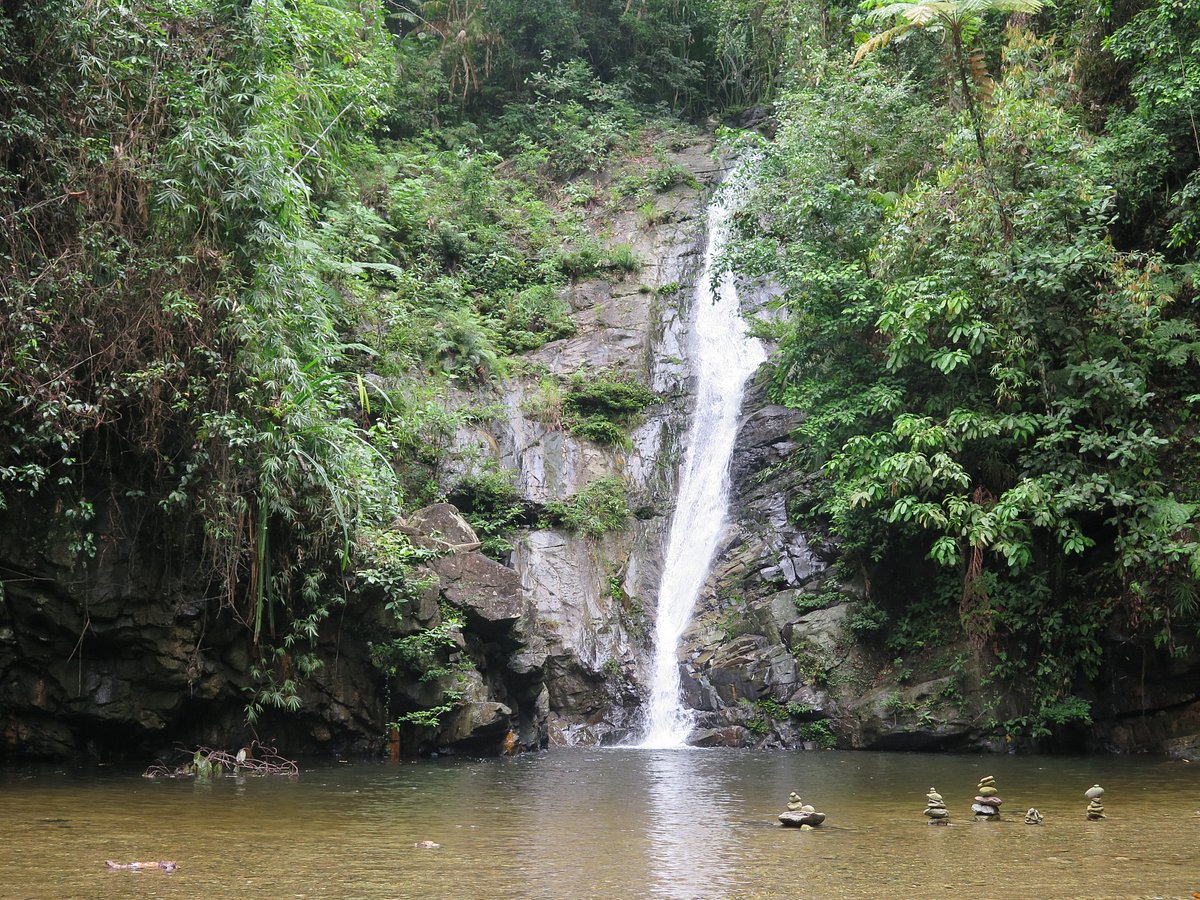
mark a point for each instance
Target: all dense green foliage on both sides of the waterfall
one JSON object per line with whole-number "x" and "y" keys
{"x": 255, "y": 253}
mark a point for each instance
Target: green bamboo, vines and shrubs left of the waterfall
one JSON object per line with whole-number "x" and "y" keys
{"x": 254, "y": 254}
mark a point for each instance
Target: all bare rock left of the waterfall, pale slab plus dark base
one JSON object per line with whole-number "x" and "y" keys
{"x": 127, "y": 655}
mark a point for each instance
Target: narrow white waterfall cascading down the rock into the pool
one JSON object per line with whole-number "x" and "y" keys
{"x": 723, "y": 357}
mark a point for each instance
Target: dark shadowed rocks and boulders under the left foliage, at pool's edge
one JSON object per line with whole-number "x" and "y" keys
{"x": 127, "y": 656}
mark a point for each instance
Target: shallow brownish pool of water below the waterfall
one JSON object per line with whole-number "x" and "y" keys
{"x": 610, "y": 824}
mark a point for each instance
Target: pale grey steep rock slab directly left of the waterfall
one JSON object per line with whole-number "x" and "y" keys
{"x": 593, "y": 598}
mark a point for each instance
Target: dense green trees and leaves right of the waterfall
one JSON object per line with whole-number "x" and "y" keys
{"x": 992, "y": 326}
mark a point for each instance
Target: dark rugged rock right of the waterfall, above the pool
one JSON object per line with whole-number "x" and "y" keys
{"x": 782, "y": 651}
